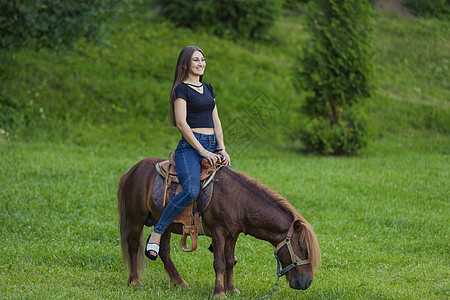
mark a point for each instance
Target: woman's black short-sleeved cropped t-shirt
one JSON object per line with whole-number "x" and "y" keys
{"x": 199, "y": 106}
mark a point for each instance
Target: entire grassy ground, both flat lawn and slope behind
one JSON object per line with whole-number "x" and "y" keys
{"x": 90, "y": 113}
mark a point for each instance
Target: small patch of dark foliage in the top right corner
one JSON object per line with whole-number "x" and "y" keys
{"x": 430, "y": 8}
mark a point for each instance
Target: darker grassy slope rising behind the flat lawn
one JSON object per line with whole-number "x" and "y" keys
{"x": 117, "y": 92}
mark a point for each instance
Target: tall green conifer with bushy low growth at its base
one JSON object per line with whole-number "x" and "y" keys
{"x": 336, "y": 68}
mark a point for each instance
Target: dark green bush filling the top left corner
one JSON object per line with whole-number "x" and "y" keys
{"x": 54, "y": 23}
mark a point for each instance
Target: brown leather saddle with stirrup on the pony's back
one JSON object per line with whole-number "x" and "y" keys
{"x": 190, "y": 216}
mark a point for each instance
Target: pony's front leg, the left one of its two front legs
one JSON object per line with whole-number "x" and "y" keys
{"x": 219, "y": 265}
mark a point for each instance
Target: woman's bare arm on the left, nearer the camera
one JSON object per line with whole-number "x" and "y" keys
{"x": 180, "y": 111}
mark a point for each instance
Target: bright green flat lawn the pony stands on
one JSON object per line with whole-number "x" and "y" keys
{"x": 381, "y": 222}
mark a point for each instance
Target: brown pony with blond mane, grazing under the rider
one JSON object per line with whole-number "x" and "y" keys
{"x": 239, "y": 204}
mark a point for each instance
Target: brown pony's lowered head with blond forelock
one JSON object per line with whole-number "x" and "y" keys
{"x": 305, "y": 248}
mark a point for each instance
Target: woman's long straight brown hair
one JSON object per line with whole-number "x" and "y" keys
{"x": 181, "y": 73}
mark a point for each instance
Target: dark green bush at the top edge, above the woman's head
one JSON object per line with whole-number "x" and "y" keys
{"x": 235, "y": 18}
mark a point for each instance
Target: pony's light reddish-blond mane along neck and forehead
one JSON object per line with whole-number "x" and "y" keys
{"x": 307, "y": 234}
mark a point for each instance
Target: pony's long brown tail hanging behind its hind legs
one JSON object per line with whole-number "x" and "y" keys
{"x": 124, "y": 229}
